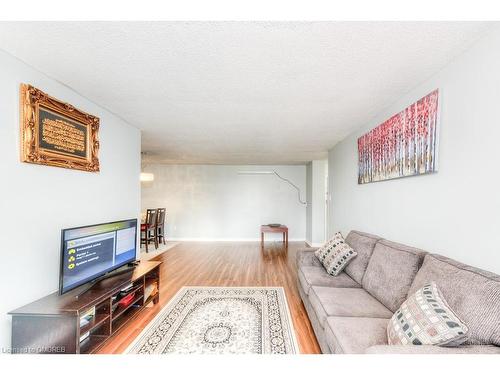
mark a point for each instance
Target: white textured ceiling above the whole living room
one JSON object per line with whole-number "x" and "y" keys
{"x": 240, "y": 92}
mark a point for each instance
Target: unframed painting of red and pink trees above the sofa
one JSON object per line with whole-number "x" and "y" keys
{"x": 404, "y": 145}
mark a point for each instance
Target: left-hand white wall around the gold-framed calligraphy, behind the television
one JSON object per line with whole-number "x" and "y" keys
{"x": 38, "y": 201}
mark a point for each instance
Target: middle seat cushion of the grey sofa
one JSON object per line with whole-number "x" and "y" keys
{"x": 328, "y": 301}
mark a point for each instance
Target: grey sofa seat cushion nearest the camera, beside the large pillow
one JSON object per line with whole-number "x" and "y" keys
{"x": 351, "y": 335}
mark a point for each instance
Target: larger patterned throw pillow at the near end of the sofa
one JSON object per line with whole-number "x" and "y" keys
{"x": 426, "y": 319}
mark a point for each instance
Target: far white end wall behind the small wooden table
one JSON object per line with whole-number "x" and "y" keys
{"x": 213, "y": 202}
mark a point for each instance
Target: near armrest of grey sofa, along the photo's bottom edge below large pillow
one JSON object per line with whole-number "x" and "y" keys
{"x": 430, "y": 349}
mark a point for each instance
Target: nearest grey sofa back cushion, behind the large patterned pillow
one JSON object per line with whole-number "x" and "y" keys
{"x": 473, "y": 294}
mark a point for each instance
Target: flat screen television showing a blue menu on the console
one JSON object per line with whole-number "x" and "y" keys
{"x": 92, "y": 251}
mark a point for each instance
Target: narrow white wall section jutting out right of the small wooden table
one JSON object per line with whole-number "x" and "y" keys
{"x": 316, "y": 190}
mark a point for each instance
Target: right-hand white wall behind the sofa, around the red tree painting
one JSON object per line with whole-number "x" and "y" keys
{"x": 455, "y": 212}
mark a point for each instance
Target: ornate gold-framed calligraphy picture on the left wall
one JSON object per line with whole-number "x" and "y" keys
{"x": 56, "y": 133}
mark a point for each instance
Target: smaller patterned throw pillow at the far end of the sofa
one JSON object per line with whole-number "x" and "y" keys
{"x": 335, "y": 254}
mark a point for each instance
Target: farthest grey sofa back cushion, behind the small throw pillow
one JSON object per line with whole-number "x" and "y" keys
{"x": 363, "y": 244}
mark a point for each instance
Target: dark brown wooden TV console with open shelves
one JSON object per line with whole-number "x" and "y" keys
{"x": 52, "y": 324}
